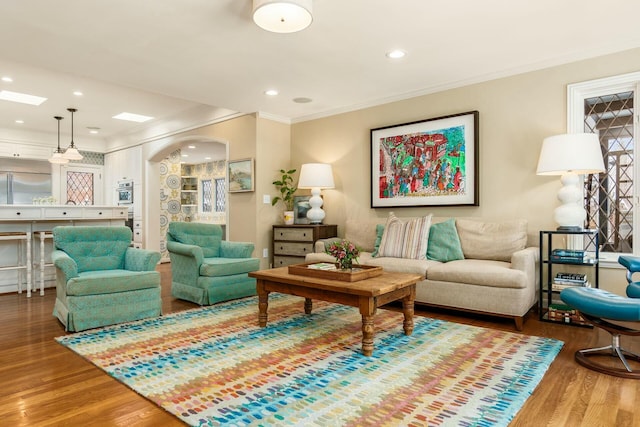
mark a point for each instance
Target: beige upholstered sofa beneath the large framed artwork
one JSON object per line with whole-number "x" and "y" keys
{"x": 498, "y": 275}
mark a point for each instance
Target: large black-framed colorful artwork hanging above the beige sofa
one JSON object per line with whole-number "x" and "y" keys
{"x": 431, "y": 162}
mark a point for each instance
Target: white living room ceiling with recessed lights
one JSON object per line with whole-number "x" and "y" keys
{"x": 186, "y": 62}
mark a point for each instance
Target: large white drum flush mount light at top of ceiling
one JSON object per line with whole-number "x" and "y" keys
{"x": 282, "y": 16}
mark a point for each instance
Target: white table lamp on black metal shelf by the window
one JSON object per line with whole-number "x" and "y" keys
{"x": 570, "y": 155}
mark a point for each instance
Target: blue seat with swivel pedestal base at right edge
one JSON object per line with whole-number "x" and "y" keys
{"x": 604, "y": 309}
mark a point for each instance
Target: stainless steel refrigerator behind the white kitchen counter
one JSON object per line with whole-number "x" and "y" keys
{"x": 22, "y": 180}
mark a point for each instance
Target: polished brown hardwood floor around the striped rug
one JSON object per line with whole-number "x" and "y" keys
{"x": 45, "y": 384}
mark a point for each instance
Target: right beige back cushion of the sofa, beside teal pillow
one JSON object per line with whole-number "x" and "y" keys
{"x": 494, "y": 241}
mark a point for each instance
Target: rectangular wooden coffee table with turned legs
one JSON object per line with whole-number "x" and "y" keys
{"x": 367, "y": 295}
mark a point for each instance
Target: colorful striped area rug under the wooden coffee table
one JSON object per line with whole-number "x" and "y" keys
{"x": 215, "y": 366}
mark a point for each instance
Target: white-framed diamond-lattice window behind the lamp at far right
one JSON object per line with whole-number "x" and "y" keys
{"x": 606, "y": 107}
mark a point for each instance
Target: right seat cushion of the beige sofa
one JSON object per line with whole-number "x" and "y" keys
{"x": 497, "y": 274}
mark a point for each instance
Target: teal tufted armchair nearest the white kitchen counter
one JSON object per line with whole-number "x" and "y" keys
{"x": 101, "y": 280}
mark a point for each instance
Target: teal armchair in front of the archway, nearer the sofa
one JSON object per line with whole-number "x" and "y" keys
{"x": 206, "y": 269}
